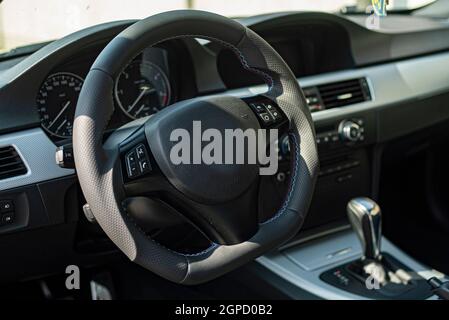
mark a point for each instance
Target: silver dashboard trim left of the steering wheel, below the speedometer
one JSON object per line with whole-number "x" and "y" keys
{"x": 38, "y": 153}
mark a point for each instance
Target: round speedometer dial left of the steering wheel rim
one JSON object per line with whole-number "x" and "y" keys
{"x": 56, "y": 103}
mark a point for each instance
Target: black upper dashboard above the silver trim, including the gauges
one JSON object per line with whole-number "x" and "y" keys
{"x": 43, "y": 88}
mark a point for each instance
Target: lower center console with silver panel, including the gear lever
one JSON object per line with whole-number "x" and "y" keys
{"x": 353, "y": 264}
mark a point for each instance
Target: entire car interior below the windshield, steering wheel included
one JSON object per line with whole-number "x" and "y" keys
{"x": 357, "y": 208}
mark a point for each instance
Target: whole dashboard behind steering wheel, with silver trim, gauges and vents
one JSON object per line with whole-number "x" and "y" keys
{"x": 385, "y": 83}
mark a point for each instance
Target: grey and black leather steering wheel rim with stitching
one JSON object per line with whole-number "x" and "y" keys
{"x": 97, "y": 164}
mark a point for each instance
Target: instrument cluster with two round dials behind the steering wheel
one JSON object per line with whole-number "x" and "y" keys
{"x": 143, "y": 88}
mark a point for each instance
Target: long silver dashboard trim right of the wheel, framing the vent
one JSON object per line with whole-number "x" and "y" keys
{"x": 389, "y": 83}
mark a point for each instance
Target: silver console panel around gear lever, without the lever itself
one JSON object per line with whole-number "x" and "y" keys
{"x": 315, "y": 267}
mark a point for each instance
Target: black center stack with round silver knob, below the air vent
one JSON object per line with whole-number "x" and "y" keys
{"x": 345, "y": 167}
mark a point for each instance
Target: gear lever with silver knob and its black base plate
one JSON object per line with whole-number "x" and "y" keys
{"x": 374, "y": 270}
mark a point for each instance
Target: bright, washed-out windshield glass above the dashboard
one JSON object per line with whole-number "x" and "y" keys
{"x": 25, "y": 22}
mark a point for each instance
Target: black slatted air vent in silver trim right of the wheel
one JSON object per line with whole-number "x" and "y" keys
{"x": 340, "y": 94}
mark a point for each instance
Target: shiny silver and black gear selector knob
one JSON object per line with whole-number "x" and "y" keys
{"x": 366, "y": 220}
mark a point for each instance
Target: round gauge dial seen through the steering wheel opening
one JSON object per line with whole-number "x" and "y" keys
{"x": 142, "y": 89}
